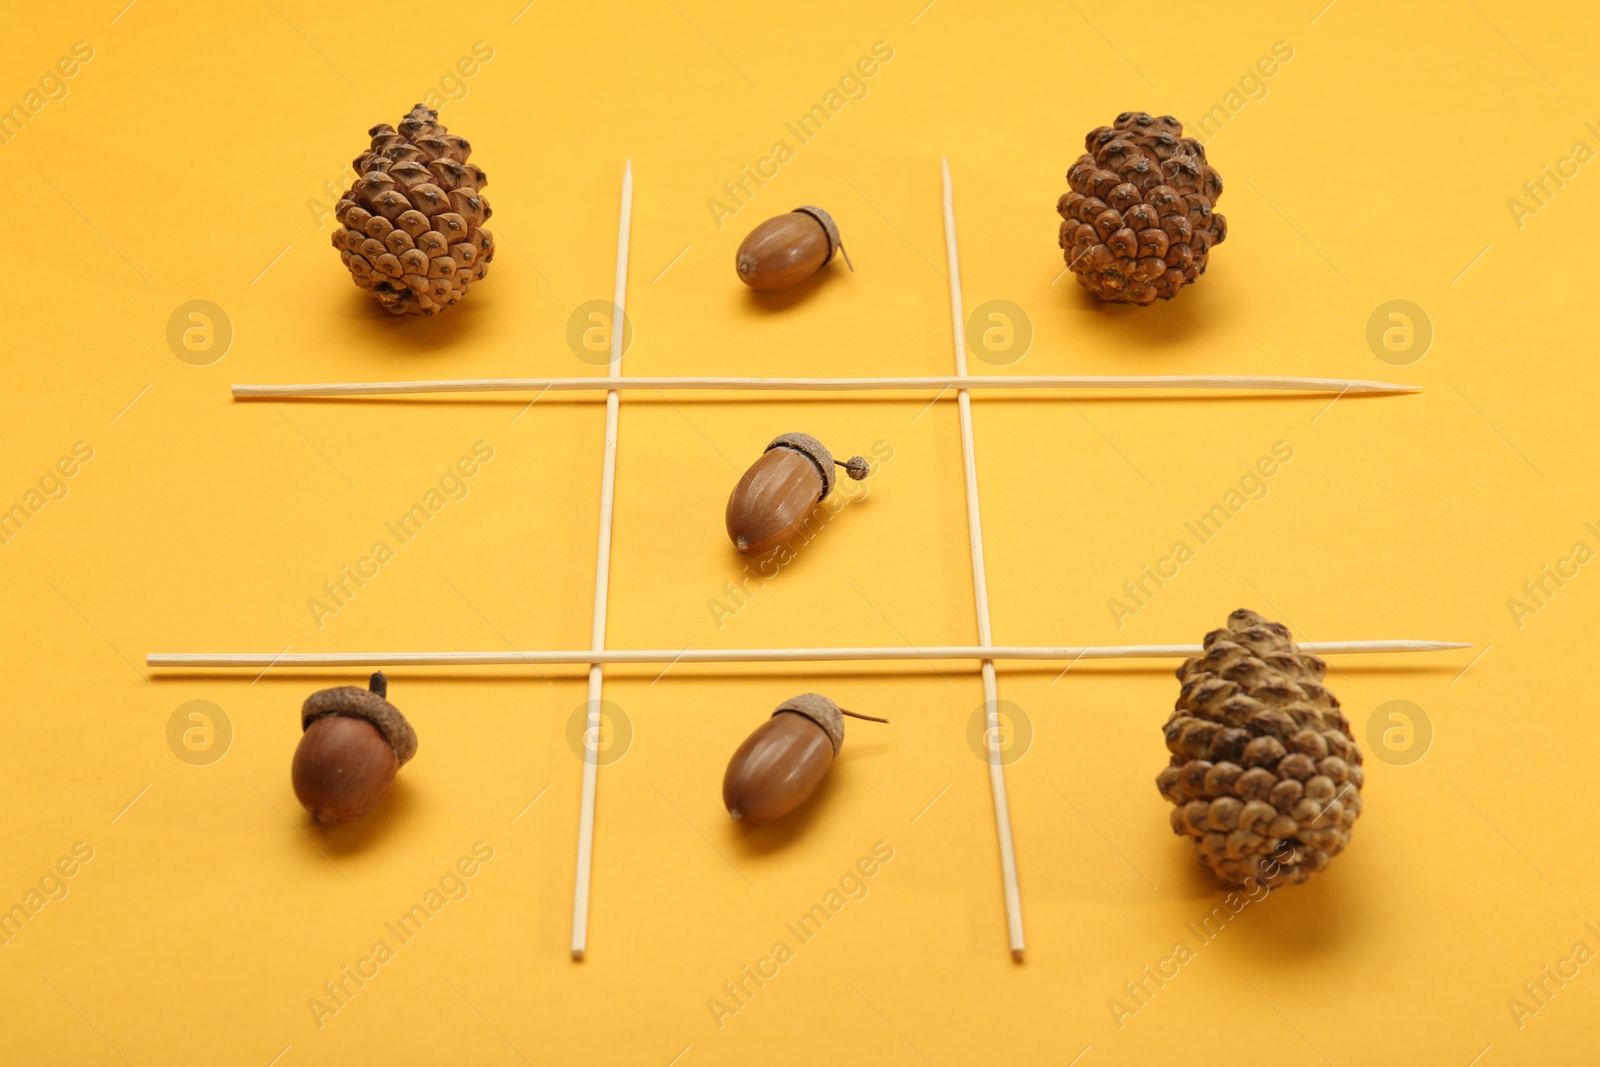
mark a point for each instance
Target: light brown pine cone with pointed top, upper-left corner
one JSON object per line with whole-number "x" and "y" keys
{"x": 412, "y": 223}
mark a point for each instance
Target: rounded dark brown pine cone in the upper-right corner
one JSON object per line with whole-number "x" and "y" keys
{"x": 1138, "y": 222}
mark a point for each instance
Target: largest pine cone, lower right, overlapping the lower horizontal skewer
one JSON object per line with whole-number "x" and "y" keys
{"x": 1266, "y": 778}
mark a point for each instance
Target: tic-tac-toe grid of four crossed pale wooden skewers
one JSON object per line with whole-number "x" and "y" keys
{"x": 598, "y": 655}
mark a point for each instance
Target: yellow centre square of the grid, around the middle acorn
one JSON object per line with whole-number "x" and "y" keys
{"x": 678, "y": 578}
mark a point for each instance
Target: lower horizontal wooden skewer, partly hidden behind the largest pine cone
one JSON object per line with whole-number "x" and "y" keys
{"x": 746, "y": 655}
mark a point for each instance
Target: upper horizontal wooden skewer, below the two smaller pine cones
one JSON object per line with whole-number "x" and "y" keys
{"x": 831, "y": 385}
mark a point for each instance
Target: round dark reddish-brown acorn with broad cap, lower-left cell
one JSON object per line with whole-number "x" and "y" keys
{"x": 354, "y": 743}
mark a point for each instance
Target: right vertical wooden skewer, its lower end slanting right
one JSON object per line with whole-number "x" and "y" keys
{"x": 975, "y": 530}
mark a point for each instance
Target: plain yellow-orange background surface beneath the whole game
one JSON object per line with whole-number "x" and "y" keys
{"x": 1377, "y": 167}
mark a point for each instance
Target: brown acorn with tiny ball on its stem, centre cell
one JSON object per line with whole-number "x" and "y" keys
{"x": 780, "y": 492}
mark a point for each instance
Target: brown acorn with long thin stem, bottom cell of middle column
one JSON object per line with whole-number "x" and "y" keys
{"x": 782, "y": 764}
